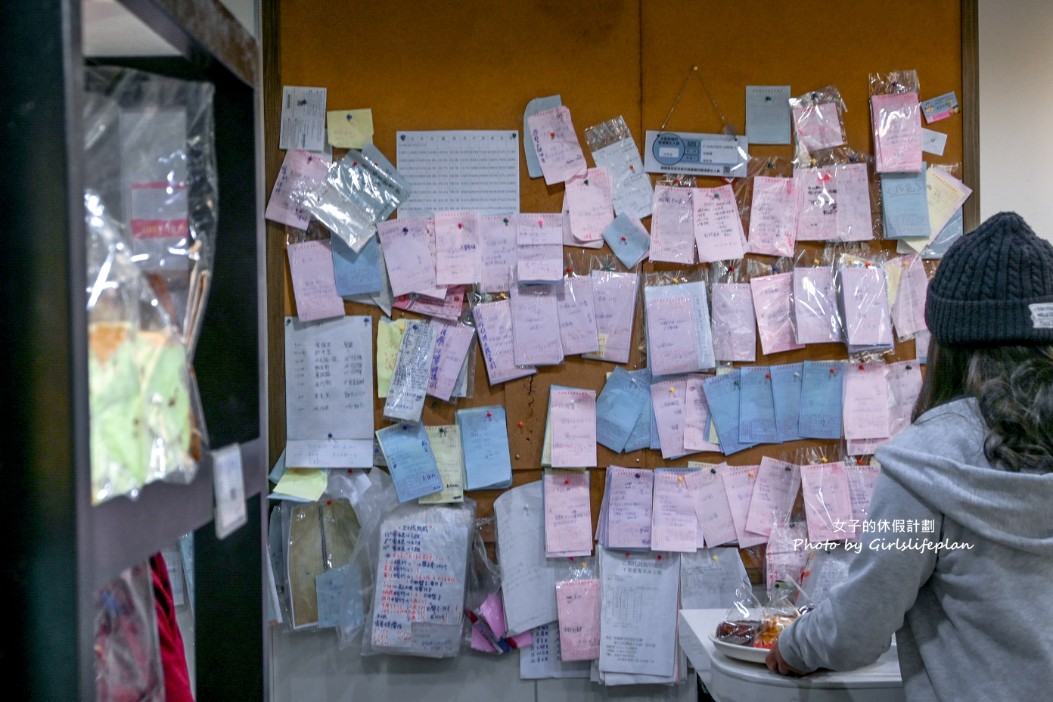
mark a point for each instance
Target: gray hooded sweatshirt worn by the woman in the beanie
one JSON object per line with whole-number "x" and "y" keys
{"x": 975, "y": 619}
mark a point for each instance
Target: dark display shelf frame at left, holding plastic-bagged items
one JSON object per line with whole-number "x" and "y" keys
{"x": 62, "y": 548}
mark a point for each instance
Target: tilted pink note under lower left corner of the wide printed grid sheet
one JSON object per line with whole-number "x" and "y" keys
{"x": 411, "y": 266}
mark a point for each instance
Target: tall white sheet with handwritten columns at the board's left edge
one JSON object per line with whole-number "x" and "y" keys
{"x": 329, "y": 393}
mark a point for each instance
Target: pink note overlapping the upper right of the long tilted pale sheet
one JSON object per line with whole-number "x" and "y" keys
{"x": 568, "y": 515}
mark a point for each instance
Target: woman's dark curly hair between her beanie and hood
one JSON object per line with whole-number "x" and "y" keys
{"x": 1014, "y": 387}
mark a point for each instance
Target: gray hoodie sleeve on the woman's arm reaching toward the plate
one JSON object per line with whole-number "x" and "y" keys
{"x": 856, "y": 625}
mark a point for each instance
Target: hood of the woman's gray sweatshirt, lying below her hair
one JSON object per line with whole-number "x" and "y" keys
{"x": 941, "y": 460}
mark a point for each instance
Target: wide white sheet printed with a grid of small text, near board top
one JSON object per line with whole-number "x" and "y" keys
{"x": 475, "y": 171}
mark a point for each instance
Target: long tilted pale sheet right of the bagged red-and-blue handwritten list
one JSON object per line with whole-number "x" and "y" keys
{"x": 528, "y": 578}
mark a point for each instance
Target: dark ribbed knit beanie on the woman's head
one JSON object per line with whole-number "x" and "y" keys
{"x": 994, "y": 287}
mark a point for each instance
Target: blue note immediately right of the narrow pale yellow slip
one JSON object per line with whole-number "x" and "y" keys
{"x": 485, "y": 440}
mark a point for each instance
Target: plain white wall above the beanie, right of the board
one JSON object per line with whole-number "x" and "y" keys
{"x": 1017, "y": 111}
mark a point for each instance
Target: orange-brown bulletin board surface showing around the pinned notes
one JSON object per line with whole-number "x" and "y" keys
{"x": 475, "y": 65}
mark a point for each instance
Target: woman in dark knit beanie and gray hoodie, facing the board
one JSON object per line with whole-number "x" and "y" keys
{"x": 969, "y": 598}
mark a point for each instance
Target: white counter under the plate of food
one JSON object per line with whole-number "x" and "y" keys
{"x": 730, "y": 680}
